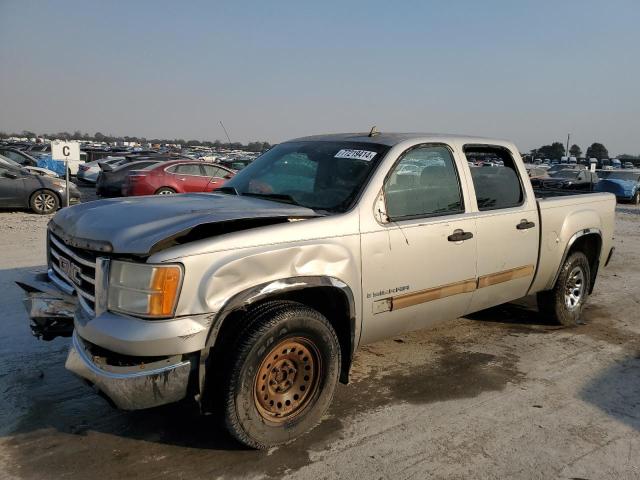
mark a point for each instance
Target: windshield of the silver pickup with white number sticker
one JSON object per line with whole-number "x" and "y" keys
{"x": 315, "y": 174}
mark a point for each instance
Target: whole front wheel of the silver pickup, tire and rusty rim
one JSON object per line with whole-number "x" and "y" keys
{"x": 255, "y": 420}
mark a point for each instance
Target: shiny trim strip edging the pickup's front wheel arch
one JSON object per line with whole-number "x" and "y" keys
{"x": 271, "y": 289}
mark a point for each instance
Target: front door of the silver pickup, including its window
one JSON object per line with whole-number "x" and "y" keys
{"x": 419, "y": 266}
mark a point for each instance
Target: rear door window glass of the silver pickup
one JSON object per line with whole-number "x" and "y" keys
{"x": 497, "y": 186}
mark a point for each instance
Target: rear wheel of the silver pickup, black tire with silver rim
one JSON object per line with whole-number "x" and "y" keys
{"x": 563, "y": 305}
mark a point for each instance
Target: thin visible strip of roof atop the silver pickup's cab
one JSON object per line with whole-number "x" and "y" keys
{"x": 393, "y": 138}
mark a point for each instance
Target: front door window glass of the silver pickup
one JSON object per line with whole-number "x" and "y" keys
{"x": 423, "y": 183}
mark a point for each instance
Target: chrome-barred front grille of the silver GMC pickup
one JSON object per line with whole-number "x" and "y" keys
{"x": 76, "y": 267}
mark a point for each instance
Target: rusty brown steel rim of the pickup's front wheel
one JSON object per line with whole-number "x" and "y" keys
{"x": 287, "y": 379}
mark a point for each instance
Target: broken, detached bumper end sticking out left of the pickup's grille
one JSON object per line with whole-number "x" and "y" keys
{"x": 50, "y": 305}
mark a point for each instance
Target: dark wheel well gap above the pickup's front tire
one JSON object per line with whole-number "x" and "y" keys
{"x": 331, "y": 302}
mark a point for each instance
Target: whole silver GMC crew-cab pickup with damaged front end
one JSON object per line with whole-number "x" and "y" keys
{"x": 253, "y": 300}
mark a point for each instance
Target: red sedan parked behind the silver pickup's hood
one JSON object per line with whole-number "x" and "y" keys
{"x": 176, "y": 176}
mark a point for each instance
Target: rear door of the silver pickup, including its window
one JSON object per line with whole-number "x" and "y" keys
{"x": 507, "y": 230}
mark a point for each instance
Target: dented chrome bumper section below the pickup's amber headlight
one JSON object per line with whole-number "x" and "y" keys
{"x": 135, "y": 386}
